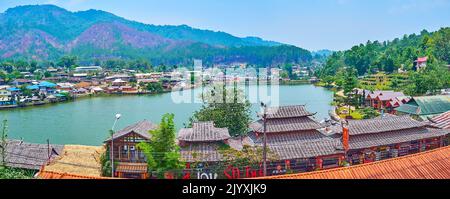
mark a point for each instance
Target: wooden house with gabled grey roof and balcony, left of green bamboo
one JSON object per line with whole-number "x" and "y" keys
{"x": 130, "y": 160}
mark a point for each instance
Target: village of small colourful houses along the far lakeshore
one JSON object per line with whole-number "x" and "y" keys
{"x": 61, "y": 84}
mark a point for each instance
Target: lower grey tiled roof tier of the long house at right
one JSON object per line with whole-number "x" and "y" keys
{"x": 395, "y": 137}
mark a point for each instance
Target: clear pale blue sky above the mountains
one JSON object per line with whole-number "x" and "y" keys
{"x": 310, "y": 24}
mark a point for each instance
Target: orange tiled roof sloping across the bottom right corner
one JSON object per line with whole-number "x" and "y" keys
{"x": 434, "y": 164}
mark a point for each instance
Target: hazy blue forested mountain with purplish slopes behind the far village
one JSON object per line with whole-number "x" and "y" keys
{"x": 47, "y": 32}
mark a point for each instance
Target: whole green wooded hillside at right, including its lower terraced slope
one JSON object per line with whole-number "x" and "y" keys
{"x": 386, "y": 58}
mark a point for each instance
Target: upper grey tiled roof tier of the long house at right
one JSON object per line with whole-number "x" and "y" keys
{"x": 378, "y": 125}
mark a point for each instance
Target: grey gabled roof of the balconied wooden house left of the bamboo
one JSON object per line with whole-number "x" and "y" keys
{"x": 141, "y": 128}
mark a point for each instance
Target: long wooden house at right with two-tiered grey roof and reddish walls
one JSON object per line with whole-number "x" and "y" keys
{"x": 389, "y": 136}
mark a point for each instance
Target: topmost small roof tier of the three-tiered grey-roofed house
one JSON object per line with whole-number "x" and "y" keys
{"x": 287, "y": 112}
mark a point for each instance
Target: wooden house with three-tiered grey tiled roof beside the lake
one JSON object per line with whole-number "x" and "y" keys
{"x": 293, "y": 136}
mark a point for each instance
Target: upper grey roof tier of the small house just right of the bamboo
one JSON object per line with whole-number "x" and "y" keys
{"x": 203, "y": 132}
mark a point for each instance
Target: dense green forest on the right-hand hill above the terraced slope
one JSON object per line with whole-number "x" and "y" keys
{"x": 389, "y": 56}
